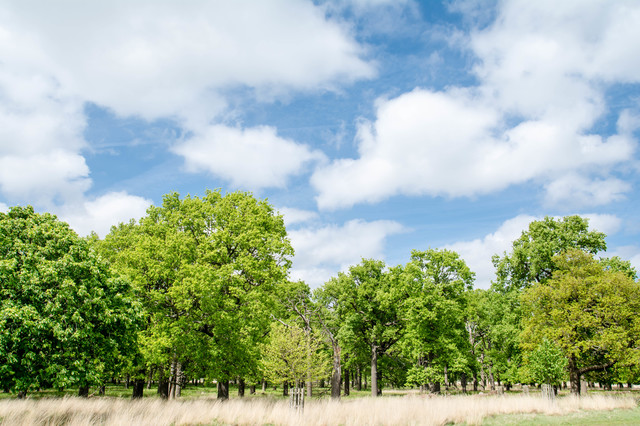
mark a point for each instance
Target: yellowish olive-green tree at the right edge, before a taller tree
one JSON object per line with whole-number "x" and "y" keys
{"x": 590, "y": 312}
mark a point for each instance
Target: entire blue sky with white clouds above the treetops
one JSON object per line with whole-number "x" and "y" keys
{"x": 376, "y": 127}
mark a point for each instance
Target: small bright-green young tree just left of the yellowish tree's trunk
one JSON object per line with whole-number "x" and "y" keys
{"x": 547, "y": 364}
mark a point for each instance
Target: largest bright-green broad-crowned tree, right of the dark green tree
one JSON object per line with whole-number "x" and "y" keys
{"x": 206, "y": 269}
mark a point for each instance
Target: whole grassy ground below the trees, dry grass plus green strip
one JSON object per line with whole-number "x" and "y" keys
{"x": 199, "y": 406}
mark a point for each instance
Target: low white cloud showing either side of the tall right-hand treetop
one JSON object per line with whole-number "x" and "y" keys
{"x": 478, "y": 253}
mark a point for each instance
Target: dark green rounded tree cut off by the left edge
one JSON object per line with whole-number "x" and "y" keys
{"x": 65, "y": 319}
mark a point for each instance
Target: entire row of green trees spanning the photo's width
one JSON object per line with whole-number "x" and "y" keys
{"x": 199, "y": 289}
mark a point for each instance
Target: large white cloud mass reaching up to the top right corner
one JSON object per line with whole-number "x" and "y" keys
{"x": 542, "y": 72}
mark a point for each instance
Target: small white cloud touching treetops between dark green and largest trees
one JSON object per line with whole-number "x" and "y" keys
{"x": 102, "y": 213}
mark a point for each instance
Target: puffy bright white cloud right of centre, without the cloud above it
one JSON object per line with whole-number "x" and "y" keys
{"x": 417, "y": 146}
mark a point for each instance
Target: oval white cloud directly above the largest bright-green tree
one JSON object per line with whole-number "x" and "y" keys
{"x": 253, "y": 158}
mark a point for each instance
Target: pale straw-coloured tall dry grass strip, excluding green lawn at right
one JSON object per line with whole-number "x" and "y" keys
{"x": 410, "y": 410}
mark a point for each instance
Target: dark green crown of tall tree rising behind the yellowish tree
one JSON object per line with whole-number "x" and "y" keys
{"x": 531, "y": 257}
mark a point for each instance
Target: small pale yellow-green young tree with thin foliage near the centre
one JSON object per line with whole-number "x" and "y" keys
{"x": 293, "y": 355}
